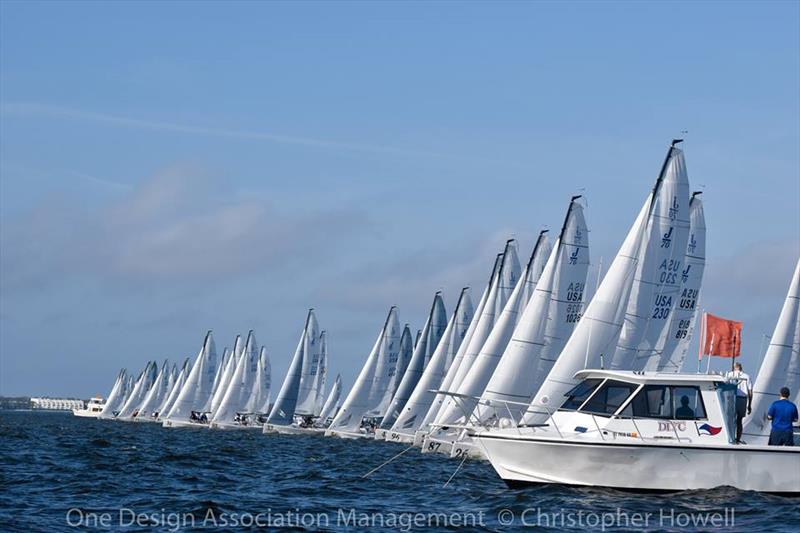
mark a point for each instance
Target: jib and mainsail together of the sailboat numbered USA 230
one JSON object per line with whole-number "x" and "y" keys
{"x": 616, "y": 306}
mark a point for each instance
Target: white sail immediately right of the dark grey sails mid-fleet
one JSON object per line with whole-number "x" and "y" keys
{"x": 419, "y": 403}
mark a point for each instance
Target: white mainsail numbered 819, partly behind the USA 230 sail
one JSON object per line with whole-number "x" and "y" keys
{"x": 674, "y": 345}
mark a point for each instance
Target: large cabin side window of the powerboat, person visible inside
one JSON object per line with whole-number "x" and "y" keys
{"x": 664, "y": 401}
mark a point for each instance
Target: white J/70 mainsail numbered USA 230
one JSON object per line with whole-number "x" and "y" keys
{"x": 657, "y": 282}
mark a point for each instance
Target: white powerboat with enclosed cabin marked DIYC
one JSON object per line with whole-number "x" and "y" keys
{"x": 643, "y": 432}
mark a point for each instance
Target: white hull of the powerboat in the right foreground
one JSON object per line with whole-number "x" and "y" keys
{"x": 642, "y": 466}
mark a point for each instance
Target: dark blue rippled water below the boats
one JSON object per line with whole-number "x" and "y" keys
{"x": 57, "y": 470}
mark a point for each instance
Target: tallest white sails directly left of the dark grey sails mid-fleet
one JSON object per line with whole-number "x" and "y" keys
{"x": 370, "y": 386}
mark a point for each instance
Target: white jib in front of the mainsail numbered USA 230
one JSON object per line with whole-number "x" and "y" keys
{"x": 594, "y": 340}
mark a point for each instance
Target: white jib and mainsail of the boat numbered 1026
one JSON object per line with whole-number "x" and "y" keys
{"x": 545, "y": 325}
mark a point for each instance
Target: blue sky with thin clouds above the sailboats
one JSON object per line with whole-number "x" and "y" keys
{"x": 167, "y": 168}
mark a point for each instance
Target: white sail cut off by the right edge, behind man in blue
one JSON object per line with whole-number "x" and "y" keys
{"x": 780, "y": 367}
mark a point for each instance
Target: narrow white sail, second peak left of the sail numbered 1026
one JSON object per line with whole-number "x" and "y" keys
{"x": 508, "y": 277}
